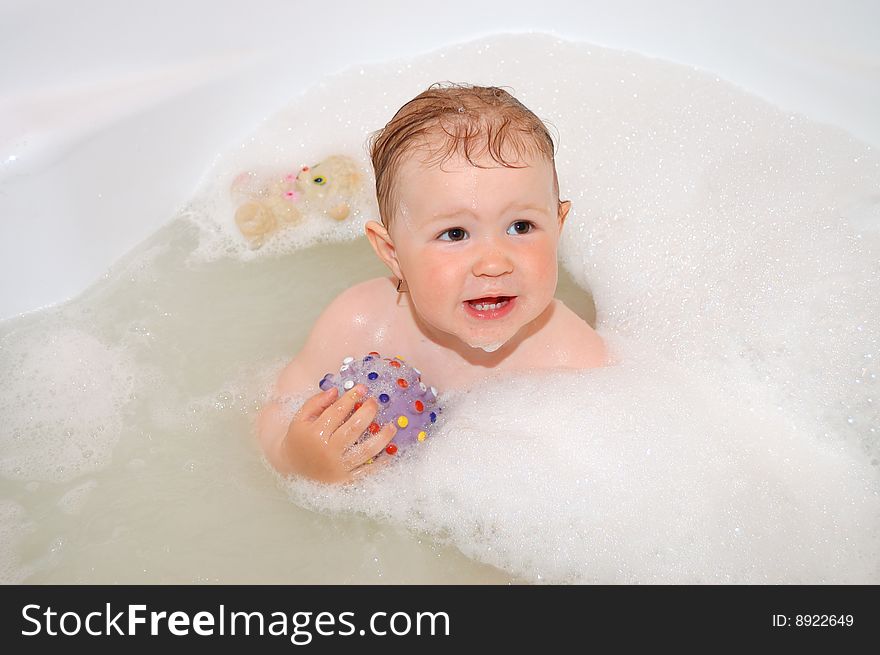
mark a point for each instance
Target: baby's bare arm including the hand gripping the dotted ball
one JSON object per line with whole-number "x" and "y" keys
{"x": 320, "y": 442}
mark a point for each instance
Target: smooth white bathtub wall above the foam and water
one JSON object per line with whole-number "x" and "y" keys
{"x": 110, "y": 113}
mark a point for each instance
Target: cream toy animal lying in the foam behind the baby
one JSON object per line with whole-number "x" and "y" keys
{"x": 266, "y": 206}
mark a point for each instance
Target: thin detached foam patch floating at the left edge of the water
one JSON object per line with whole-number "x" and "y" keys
{"x": 62, "y": 408}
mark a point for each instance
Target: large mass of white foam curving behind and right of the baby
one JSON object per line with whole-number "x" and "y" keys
{"x": 731, "y": 248}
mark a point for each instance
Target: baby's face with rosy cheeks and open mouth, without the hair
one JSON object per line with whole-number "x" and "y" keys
{"x": 464, "y": 233}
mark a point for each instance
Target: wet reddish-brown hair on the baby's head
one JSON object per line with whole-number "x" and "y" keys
{"x": 466, "y": 120}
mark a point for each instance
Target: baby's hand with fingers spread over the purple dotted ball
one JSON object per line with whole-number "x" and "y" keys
{"x": 322, "y": 442}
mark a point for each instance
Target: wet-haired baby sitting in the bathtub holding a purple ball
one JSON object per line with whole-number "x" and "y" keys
{"x": 471, "y": 218}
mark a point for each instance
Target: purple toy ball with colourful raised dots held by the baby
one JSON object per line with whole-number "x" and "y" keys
{"x": 401, "y": 395}
